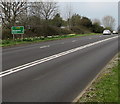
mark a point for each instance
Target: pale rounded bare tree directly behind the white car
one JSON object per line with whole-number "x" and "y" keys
{"x": 108, "y": 22}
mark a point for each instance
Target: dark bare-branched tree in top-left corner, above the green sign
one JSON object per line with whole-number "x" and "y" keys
{"x": 11, "y": 11}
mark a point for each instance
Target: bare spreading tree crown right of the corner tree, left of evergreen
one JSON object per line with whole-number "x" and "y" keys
{"x": 43, "y": 10}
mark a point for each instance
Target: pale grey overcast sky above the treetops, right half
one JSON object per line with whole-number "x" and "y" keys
{"x": 91, "y": 9}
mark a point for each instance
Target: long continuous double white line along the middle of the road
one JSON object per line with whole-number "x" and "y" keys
{"x": 25, "y": 66}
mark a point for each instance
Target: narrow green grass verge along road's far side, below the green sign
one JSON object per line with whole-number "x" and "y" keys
{"x": 10, "y": 42}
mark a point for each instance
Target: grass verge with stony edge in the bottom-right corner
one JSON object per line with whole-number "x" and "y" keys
{"x": 105, "y": 88}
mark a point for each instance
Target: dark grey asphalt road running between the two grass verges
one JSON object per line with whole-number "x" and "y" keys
{"x": 61, "y": 78}
